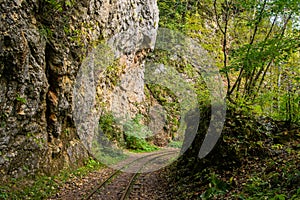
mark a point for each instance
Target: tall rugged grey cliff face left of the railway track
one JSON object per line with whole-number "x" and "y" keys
{"x": 42, "y": 46}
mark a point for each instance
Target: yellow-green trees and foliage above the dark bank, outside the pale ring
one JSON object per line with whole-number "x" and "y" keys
{"x": 255, "y": 44}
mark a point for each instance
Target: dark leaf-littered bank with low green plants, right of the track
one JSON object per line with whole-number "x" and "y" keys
{"x": 262, "y": 165}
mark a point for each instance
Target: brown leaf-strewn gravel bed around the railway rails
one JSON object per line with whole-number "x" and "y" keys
{"x": 151, "y": 185}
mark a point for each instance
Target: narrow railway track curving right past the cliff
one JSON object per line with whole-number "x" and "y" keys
{"x": 128, "y": 177}
